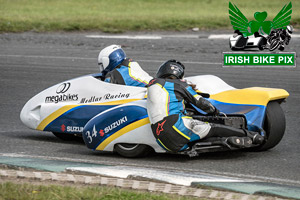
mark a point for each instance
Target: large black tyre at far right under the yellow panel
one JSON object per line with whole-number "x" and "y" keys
{"x": 274, "y": 126}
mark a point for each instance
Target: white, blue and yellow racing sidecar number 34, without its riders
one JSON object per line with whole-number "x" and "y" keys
{"x": 114, "y": 117}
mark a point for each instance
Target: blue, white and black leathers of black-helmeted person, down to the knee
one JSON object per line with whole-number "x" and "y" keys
{"x": 166, "y": 110}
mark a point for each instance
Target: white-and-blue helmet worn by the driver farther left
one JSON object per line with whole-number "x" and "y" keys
{"x": 110, "y": 57}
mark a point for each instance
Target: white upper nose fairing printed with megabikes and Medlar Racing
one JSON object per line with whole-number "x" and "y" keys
{"x": 82, "y": 90}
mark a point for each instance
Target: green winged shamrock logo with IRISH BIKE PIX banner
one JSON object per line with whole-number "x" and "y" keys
{"x": 268, "y": 39}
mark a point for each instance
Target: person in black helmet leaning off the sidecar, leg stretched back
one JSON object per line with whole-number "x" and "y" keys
{"x": 172, "y": 128}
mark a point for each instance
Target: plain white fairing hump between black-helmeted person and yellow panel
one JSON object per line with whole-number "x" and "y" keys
{"x": 209, "y": 84}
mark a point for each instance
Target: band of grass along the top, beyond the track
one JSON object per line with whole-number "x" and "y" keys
{"x": 129, "y": 15}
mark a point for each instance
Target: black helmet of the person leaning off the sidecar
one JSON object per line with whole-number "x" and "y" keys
{"x": 171, "y": 68}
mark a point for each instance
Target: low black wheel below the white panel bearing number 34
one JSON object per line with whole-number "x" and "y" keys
{"x": 132, "y": 150}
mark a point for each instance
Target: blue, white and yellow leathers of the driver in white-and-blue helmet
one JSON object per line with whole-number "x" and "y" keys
{"x": 128, "y": 73}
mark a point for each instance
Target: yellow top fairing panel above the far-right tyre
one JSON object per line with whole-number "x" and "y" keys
{"x": 253, "y": 95}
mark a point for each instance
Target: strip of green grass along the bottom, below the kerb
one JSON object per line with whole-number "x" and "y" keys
{"x": 12, "y": 191}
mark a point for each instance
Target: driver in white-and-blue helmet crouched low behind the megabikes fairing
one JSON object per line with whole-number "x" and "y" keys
{"x": 121, "y": 70}
